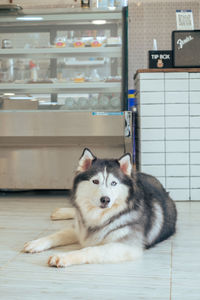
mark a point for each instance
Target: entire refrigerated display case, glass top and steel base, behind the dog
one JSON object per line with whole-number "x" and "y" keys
{"x": 63, "y": 87}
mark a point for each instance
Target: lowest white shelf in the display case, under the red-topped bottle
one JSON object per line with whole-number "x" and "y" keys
{"x": 61, "y": 87}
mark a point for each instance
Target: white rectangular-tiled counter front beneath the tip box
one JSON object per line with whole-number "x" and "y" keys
{"x": 169, "y": 126}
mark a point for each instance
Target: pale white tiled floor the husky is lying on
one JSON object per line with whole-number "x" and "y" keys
{"x": 171, "y": 270}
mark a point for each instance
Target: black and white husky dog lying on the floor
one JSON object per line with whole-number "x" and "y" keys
{"x": 118, "y": 213}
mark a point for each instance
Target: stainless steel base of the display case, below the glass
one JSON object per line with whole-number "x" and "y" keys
{"x": 40, "y": 149}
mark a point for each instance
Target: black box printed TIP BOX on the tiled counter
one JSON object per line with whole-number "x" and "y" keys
{"x": 160, "y": 59}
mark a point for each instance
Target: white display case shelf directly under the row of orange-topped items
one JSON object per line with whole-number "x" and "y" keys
{"x": 68, "y": 51}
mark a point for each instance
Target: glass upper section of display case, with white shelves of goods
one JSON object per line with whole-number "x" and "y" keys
{"x": 63, "y": 60}
